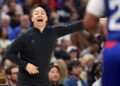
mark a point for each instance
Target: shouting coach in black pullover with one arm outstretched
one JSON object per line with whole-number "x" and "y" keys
{"x": 35, "y": 47}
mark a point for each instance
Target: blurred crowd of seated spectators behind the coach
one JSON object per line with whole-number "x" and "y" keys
{"x": 74, "y": 55}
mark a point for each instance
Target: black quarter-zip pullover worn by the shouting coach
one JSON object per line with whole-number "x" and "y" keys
{"x": 36, "y": 47}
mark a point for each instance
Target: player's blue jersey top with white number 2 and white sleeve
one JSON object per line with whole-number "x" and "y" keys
{"x": 112, "y": 9}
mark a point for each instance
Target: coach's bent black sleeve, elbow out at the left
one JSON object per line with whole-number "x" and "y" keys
{"x": 14, "y": 49}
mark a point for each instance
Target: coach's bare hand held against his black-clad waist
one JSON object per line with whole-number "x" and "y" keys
{"x": 32, "y": 69}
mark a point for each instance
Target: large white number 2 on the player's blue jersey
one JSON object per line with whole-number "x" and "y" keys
{"x": 113, "y": 24}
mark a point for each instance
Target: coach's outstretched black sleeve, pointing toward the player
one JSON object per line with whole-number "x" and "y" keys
{"x": 69, "y": 28}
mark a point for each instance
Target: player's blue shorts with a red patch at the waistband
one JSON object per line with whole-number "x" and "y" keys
{"x": 111, "y": 64}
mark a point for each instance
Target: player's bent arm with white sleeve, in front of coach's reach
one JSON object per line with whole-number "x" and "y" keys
{"x": 94, "y": 10}
